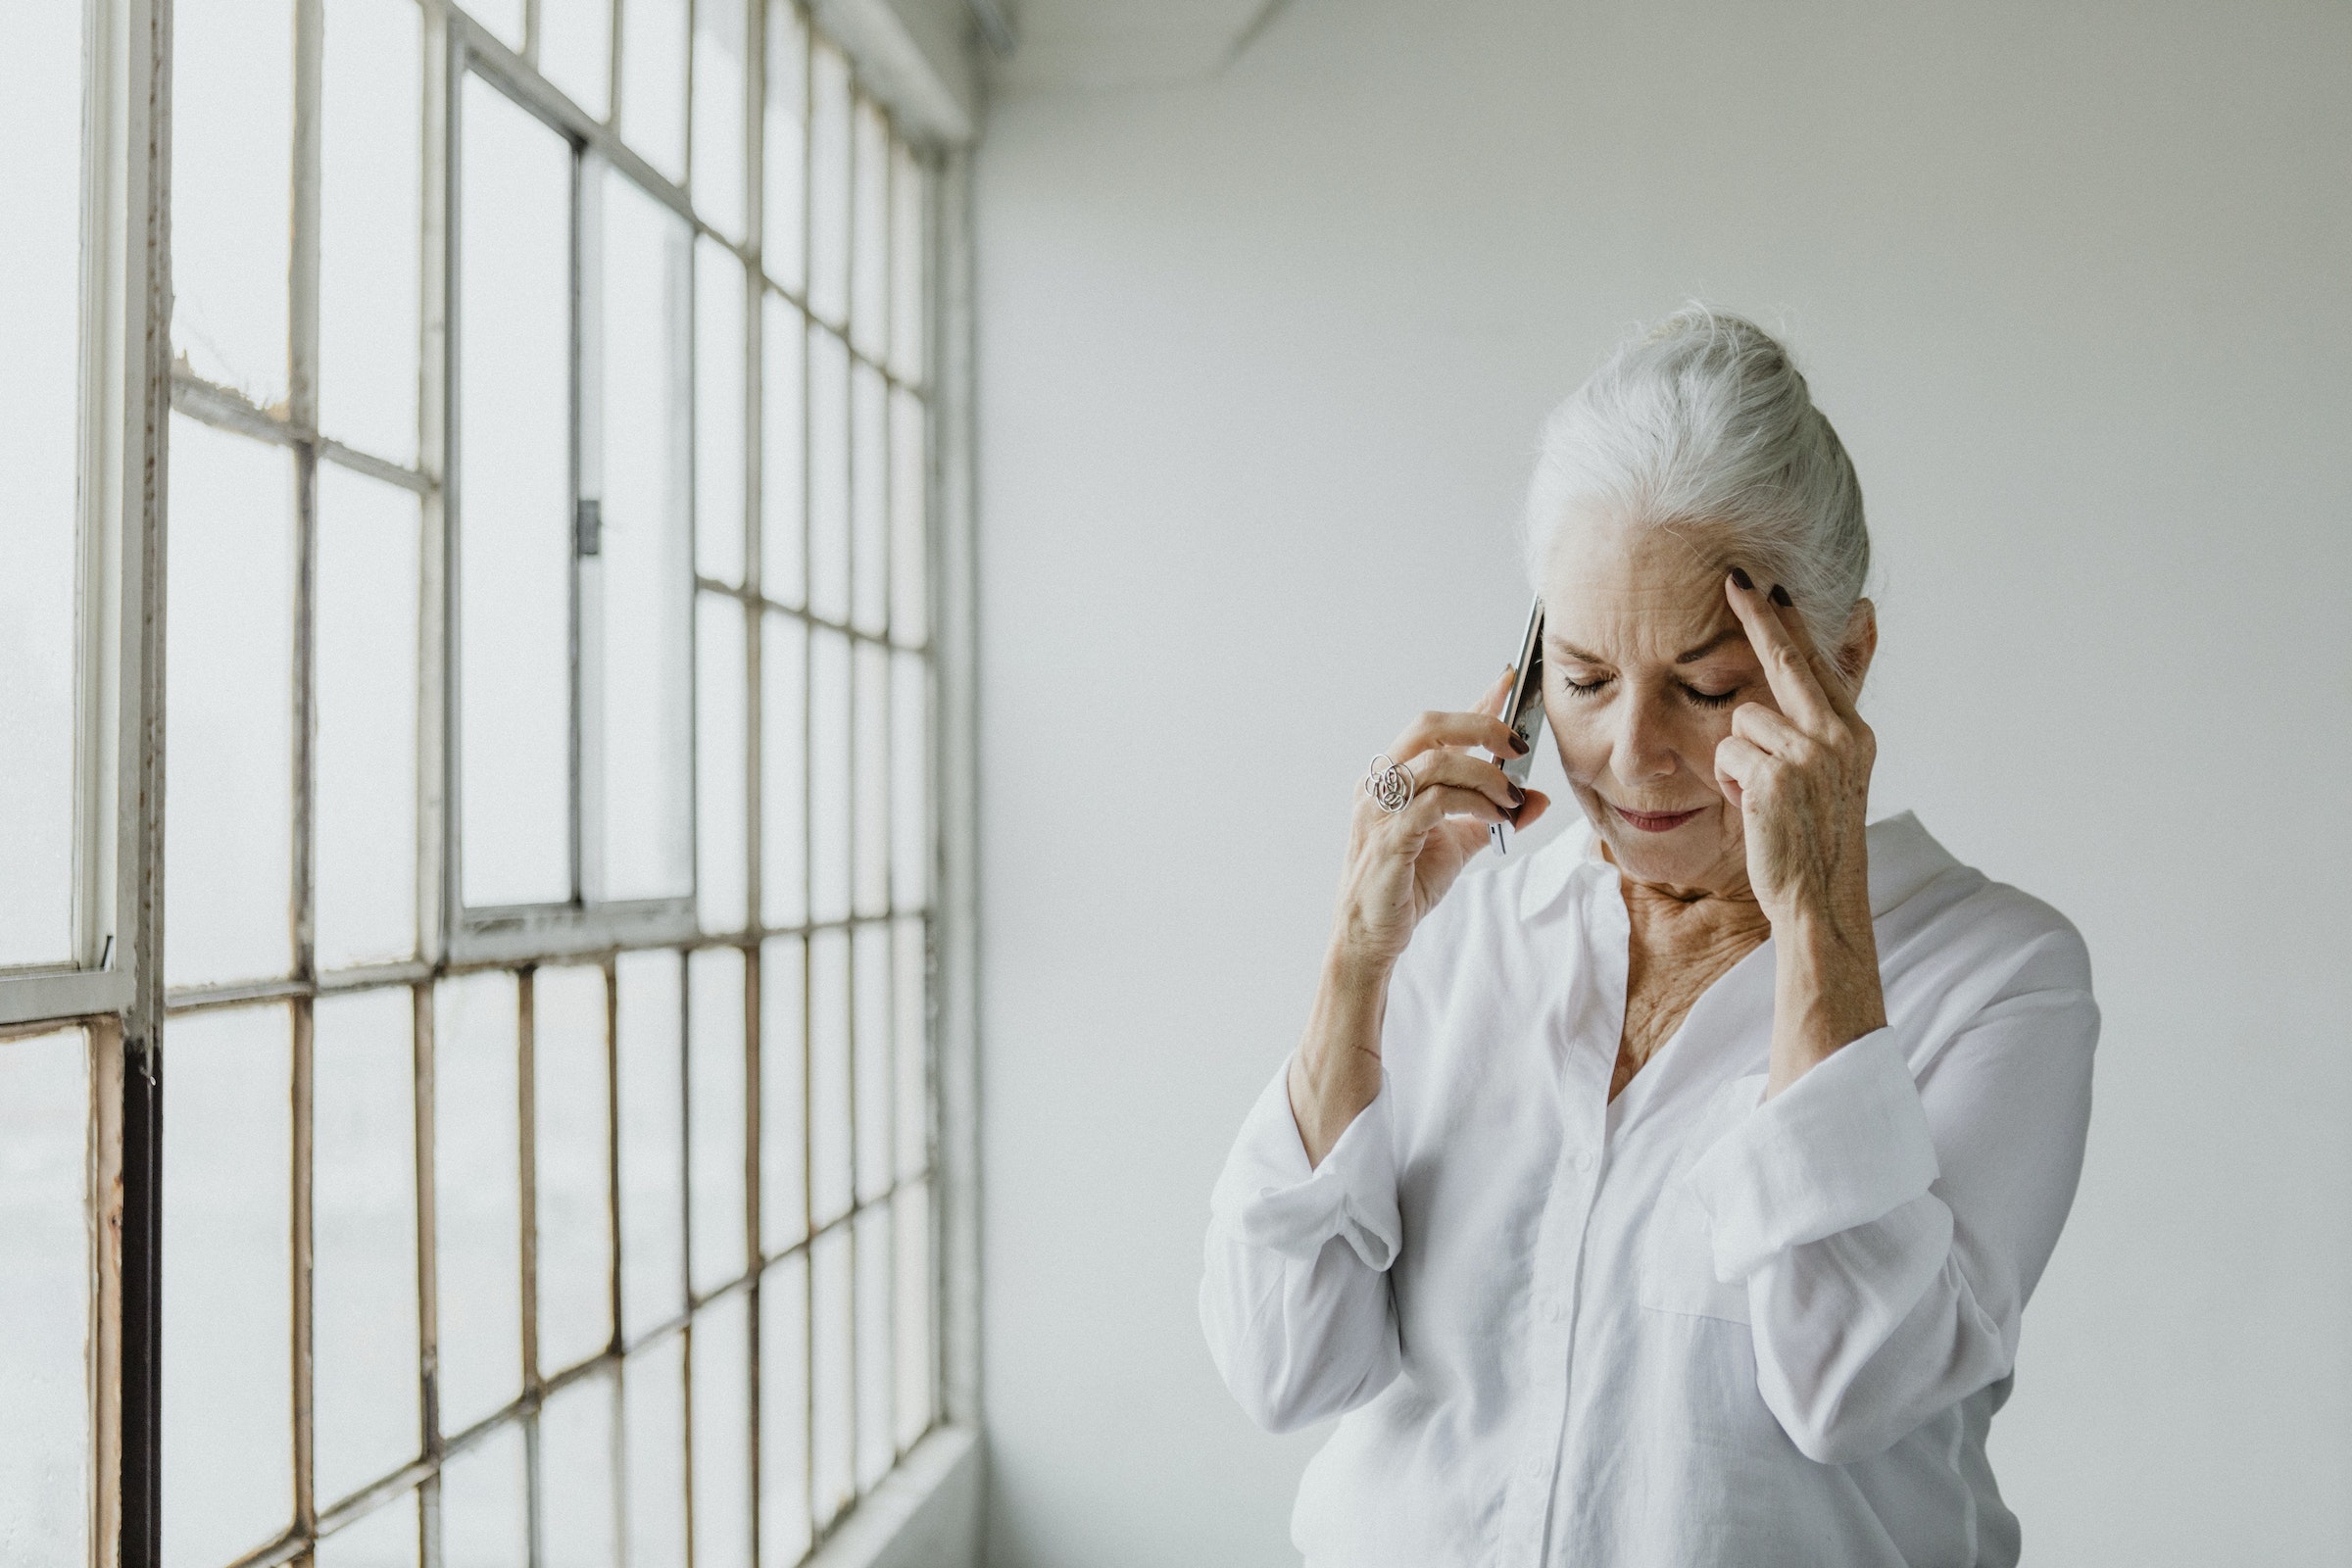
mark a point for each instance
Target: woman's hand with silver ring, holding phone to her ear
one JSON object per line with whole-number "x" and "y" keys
{"x": 1401, "y": 864}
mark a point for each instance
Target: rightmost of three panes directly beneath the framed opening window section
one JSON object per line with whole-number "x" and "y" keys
{"x": 653, "y": 1144}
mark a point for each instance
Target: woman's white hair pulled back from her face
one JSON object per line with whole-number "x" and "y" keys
{"x": 1704, "y": 424}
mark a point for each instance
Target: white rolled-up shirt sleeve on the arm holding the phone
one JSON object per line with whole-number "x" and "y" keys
{"x": 1295, "y": 1296}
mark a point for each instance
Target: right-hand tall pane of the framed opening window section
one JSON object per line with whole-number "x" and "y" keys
{"x": 646, "y": 570}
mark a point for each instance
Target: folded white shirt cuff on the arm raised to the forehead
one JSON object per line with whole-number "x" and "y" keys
{"x": 1843, "y": 1146}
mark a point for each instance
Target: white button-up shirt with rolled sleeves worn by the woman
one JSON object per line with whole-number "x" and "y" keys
{"x": 1688, "y": 1327}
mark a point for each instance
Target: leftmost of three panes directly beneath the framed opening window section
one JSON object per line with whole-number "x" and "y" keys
{"x": 479, "y": 1195}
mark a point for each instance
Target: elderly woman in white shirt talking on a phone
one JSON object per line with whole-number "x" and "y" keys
{"x": 1666, "y": 1195}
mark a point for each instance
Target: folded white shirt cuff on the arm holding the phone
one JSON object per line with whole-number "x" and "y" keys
{"x": 1278, "y": 1202}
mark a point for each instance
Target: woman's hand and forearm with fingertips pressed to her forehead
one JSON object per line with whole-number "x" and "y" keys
{"x": 1800, "y": 779}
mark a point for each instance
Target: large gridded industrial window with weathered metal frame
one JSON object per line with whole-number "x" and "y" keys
{"x": 547, "y": 742}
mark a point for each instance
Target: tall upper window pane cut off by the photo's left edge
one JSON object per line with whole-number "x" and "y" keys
{"x": 41, "y": 123}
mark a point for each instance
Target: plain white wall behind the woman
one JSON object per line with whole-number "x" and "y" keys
{"x": 1262, "y": 361}
